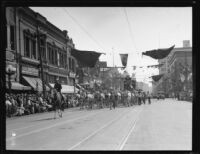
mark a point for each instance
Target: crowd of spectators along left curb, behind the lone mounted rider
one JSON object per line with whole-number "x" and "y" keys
{"x": 25, "y": 104}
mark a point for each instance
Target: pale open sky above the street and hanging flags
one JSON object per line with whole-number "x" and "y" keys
{"x": 115, "y": 30}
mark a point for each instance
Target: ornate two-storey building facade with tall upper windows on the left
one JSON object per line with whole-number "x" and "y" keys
{"x": 34, "y": 45}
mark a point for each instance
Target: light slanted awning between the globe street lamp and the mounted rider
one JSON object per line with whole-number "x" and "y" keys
{"x": 35, "y": 83}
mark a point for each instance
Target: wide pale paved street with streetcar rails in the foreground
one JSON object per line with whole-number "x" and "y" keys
{"x": 163, "y": 125}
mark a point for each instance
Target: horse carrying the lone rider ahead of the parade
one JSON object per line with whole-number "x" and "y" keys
{"x": 57, "y": 101}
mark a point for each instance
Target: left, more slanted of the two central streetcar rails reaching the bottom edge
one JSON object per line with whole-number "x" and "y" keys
{"x": 98, "y": 130}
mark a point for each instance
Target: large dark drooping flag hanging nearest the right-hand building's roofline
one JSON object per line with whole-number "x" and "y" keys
{"x": 159, "y": 53}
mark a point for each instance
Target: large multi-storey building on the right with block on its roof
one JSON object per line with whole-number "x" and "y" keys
{"x": 177, "y": 77}
